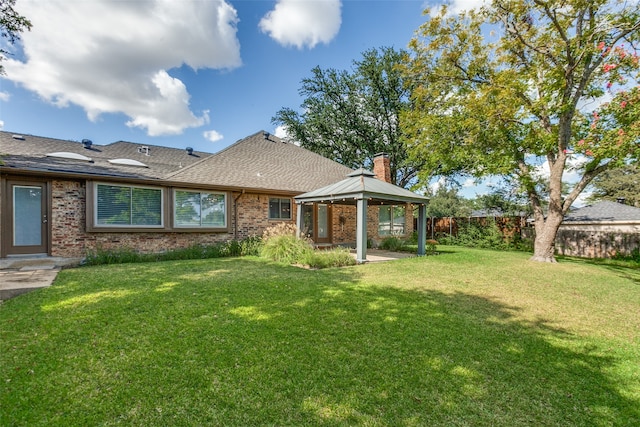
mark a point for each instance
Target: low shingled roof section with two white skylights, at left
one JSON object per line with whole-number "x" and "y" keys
{"x": 30, "y": 153}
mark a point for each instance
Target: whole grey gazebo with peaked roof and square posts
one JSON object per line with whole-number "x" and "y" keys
{"x": 361, "y": 188}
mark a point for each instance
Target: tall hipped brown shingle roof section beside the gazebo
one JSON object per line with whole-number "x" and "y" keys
{"x": 264, "y": 161}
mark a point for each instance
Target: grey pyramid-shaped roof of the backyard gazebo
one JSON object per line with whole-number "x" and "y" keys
{"x": 361, "y": 184}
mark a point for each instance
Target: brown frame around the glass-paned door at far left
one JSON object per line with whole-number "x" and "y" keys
{"x": 6, "y": 245}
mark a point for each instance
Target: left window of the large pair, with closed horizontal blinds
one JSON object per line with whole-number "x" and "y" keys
{"x": 128, "y": 206}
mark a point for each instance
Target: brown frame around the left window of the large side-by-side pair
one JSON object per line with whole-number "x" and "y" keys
{"x": 92, "y": 208}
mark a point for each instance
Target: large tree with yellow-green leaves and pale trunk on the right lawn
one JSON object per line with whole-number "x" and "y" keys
{"x": 505, "y": 90}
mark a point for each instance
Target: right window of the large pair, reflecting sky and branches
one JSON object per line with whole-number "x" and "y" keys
{"x": 199, "y": 209}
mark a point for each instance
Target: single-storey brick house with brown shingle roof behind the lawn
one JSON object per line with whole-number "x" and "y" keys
{"x": 67, "y": 199}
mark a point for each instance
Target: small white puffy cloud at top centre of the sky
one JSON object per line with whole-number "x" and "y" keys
{"x": 303, "y": 23}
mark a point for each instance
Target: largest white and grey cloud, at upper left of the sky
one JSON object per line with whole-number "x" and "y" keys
{"x": 110, "y": 56}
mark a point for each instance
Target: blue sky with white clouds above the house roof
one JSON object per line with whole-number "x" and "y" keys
{"x": 199, "y": 73}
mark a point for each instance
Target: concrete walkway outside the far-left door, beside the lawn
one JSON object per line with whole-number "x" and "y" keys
{"x": 26, "y": 273}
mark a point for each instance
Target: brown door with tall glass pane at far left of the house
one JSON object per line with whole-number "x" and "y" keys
{"x": 26, "y": 231}
